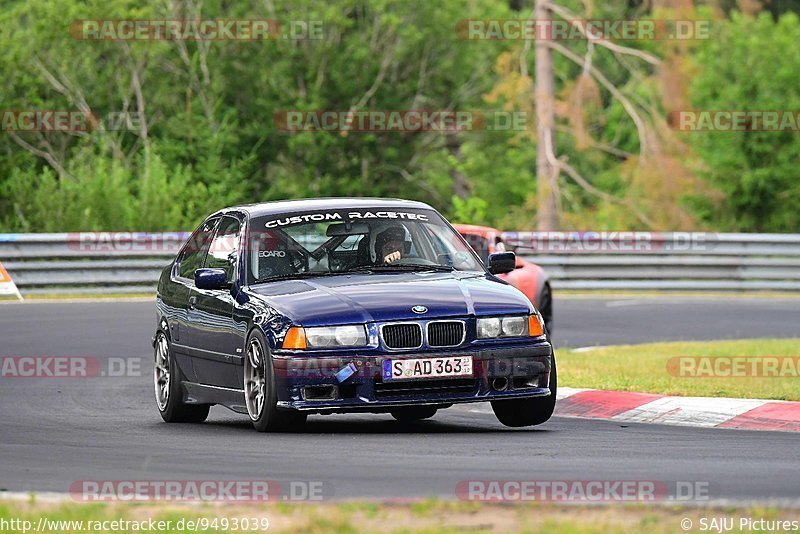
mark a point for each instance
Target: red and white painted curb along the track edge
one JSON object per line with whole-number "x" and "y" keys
{"x": 747, "y": 414}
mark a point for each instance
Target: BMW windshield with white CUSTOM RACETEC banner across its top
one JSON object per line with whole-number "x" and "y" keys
{"x": 323, "y": 243}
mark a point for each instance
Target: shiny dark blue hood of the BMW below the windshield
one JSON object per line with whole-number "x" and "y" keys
{"x": 390, "y": 297}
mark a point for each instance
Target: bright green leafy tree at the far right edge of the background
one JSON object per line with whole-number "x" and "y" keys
{"x": 751, "y": 65}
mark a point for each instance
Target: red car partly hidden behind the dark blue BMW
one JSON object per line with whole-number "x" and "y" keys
{"x": 528, "y": 277}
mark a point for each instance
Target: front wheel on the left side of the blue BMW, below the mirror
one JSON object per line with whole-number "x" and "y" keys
{"x": 261, "y": 394}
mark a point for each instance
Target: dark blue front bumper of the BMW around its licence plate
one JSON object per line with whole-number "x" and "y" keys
{"x": 499, "y": 372}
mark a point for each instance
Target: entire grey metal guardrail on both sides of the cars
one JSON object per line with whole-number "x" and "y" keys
{"x": 130, "y": 262}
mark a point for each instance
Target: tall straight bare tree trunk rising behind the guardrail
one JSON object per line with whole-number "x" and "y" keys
{"x": 546, "y": 172}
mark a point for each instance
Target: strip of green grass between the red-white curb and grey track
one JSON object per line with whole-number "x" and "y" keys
{"x": 644, "y": 368}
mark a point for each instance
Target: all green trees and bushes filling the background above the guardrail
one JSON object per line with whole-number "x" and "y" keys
{"x": 211, "y": 139}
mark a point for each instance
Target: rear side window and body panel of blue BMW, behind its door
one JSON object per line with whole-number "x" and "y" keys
{"x": 191, "y": 258}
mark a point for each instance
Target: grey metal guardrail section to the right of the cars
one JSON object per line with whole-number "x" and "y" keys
{"x": 664, "y": 261}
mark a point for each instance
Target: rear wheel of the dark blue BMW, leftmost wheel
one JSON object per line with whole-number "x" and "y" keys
{"x": 167, "y": 386}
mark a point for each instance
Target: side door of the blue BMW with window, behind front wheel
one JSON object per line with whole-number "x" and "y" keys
{"x": 212, "y": 334}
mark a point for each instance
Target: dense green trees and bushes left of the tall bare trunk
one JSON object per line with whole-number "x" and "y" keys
{"x": 210, "y": 107}
